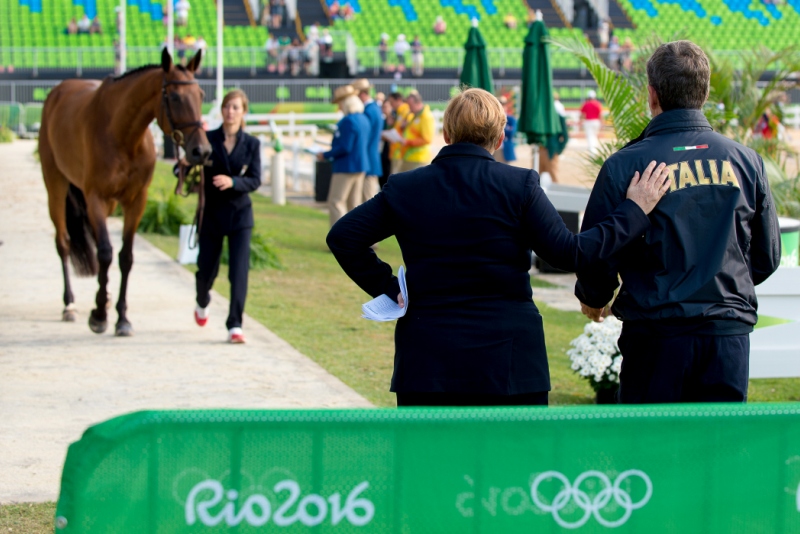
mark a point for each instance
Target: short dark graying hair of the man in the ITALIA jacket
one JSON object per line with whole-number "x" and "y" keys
{"x": 680, "y": 74}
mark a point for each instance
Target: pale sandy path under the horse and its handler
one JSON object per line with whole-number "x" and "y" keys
{"x": 58, "y": 378}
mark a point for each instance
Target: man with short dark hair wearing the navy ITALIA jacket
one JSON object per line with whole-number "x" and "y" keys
{"x": 688, "y": 299}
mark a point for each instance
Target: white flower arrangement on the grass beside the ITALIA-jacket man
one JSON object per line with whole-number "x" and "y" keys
{"x": 596, "y": 355}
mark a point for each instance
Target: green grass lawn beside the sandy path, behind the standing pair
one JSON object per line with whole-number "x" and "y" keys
{"x": 315, "y": 307}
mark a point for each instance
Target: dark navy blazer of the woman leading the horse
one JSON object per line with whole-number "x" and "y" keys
{"x": 231, "y": 210}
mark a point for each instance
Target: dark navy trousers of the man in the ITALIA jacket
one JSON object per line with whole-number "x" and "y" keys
{"x": 687, "y": 368}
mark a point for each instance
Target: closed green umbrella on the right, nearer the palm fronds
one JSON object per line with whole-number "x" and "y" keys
{"x": 538, "y": 117}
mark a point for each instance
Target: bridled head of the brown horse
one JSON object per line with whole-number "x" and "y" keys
{"x": 180, "y": 115}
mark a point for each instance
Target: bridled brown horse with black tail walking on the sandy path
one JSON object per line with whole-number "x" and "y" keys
{"x": 96, "y": 151}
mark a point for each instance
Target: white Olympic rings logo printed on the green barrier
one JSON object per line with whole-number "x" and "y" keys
{"x": 591, "y": 506}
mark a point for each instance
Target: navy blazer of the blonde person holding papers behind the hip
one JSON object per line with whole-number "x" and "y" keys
{"x": 466, "y": 225}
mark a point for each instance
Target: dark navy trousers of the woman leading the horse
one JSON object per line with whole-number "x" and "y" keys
{"x": 238, "y": 266}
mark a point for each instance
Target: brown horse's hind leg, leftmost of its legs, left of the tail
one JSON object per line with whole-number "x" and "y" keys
{"x": 57, "y": 190}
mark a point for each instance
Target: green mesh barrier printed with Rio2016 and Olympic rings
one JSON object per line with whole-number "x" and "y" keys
{"x": 649, "y": 469}
